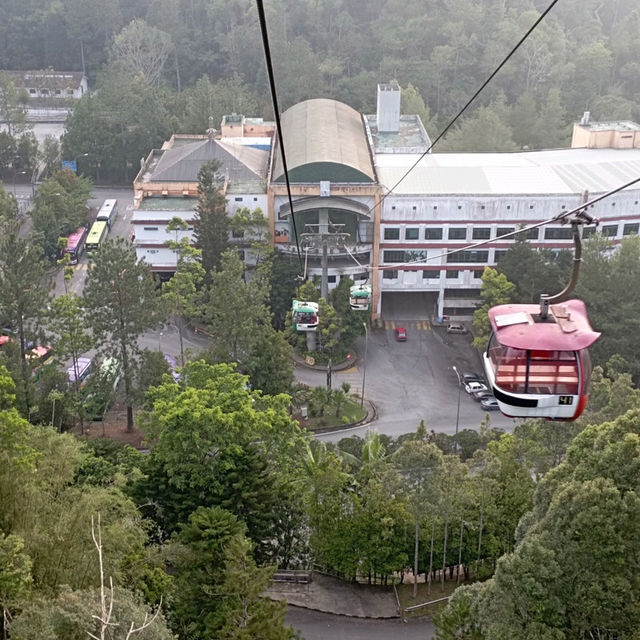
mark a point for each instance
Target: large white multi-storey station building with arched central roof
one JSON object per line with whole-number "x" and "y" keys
{"x": 371, "y": 203}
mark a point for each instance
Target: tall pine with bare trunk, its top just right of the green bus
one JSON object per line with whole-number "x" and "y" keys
{"x": 122, "y": 303}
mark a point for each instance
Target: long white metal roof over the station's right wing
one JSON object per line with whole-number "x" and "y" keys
{"x": 561, "y": 171}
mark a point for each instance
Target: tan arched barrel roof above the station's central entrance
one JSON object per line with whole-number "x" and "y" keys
{"x": 324, "y": 140}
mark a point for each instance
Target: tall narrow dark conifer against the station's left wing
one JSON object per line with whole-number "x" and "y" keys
{"x": 212, "y": 224}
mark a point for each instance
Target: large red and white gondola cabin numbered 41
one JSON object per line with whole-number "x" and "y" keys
{"x": 540, "y": 367}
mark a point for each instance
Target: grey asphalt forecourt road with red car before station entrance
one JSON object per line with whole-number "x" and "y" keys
{"x": 412, "y": 380}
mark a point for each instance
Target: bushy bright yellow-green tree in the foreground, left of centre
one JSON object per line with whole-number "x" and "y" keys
{"x": 241, "y": 450}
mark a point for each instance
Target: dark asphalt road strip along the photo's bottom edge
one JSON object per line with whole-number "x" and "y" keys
{"x": 315, "y": 625}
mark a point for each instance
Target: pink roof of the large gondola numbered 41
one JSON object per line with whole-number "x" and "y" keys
{"x": 514, "y": 326}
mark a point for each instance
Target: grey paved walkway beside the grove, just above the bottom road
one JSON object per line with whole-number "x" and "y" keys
{"x": 335, "y": 596}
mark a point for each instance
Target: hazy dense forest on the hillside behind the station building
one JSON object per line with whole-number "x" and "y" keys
{"x": 206, "y": 57}
